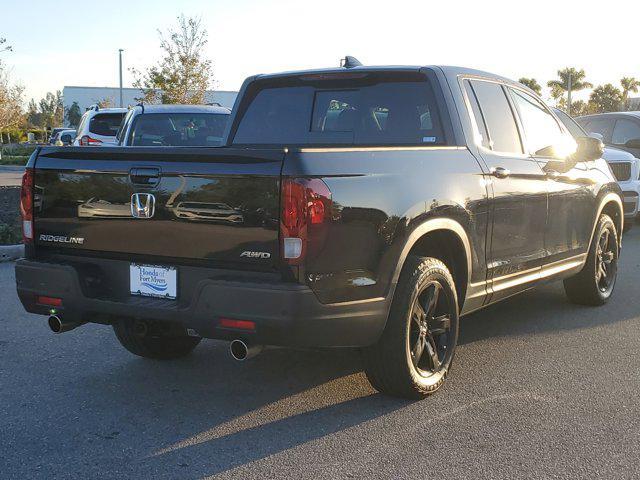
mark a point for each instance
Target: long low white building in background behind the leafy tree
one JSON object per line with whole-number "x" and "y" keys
{"x": 87, "y": 96}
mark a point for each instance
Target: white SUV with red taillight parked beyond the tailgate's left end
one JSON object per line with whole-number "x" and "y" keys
{"x": 98, "y": 126}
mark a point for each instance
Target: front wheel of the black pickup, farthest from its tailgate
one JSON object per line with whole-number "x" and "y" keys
{"x": 593, "y": 286}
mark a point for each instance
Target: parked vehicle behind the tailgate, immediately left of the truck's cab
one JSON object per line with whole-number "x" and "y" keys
{"x": 173, "y": 125}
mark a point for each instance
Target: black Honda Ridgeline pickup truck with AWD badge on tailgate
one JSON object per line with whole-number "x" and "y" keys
{"x": 359, "y": 206}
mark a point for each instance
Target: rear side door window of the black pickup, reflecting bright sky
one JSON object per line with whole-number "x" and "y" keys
{"x": 498, "y": 117}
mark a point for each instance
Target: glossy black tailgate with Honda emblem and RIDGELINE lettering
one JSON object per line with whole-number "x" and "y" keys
{"x": 216, "y": 205}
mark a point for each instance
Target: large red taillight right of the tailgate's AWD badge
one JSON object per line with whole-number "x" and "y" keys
{"x": 306, "y": 211}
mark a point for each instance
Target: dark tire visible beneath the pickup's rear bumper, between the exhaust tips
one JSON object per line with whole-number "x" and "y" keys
{"x": 152, "y": 342}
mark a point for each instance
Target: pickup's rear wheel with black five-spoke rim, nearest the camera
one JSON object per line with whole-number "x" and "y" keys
{"x": 390, "y": 364}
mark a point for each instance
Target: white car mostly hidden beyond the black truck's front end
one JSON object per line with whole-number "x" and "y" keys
{"x": 624, "y": 166}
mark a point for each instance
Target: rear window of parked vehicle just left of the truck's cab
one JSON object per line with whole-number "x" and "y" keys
{"x": 179, "y": 129}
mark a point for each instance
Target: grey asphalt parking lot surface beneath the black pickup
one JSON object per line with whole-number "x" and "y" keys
{"x": 540, "y": 389}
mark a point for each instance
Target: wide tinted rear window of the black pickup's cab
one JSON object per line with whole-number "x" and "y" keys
{"x": 344, "y": 109}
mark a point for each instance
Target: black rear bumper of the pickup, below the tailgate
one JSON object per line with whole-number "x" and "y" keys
{"x": 285, "y": 314}
